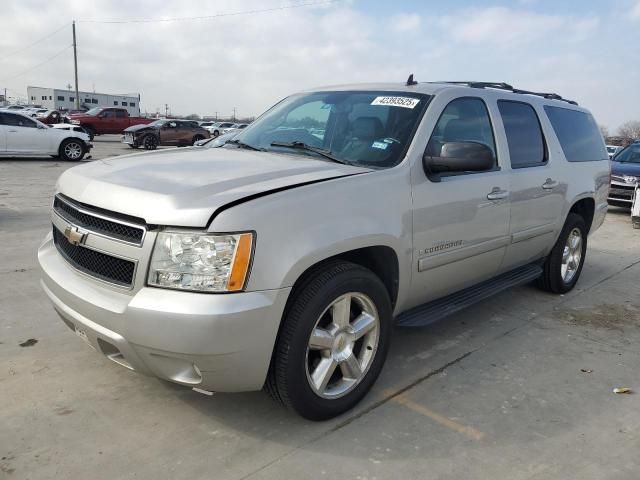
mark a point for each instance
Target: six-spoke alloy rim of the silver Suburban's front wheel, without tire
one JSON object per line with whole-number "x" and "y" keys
{"x": 342, "y": 345}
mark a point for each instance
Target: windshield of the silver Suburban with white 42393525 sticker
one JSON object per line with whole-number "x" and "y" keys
{"x": 363, "y": 128}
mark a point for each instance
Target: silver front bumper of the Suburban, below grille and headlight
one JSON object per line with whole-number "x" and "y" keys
{"x": 217, "y": 342}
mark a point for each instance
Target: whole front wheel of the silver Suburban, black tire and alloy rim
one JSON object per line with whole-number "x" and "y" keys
{"x": 355, "y": 356}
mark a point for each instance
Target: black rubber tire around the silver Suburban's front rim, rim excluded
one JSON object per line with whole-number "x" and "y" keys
{"x": 301, "y": 396}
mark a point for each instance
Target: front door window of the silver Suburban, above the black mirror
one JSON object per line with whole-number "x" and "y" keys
{"x": 463, "y": 120}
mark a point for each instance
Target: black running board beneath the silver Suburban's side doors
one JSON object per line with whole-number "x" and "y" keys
{"x": 443, "y": 307}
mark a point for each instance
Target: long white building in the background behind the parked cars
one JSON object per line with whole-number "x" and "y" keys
{"x": 57, "y": 99}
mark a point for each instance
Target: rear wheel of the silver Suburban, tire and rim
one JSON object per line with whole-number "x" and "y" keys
{"x": 553, "y": 279}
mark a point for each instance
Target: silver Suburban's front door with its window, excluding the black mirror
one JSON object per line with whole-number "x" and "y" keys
{"x": 460, "y": 220}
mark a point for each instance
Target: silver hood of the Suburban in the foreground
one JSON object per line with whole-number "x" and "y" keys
{"x": 184, "y": 187}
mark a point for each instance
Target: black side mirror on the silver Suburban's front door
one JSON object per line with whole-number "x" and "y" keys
{"x": 458, "y": 157}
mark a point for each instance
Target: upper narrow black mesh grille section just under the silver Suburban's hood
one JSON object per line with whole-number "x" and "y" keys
{"x": 97, "y": 223}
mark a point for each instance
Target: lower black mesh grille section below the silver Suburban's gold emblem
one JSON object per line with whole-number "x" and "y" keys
{"x": 97, "y": 264}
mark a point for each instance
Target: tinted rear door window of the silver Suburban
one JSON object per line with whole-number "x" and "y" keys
{"x": 524, "y": 134}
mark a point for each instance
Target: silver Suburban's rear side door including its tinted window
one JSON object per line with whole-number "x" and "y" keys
{"x": 537, "y": 191}
